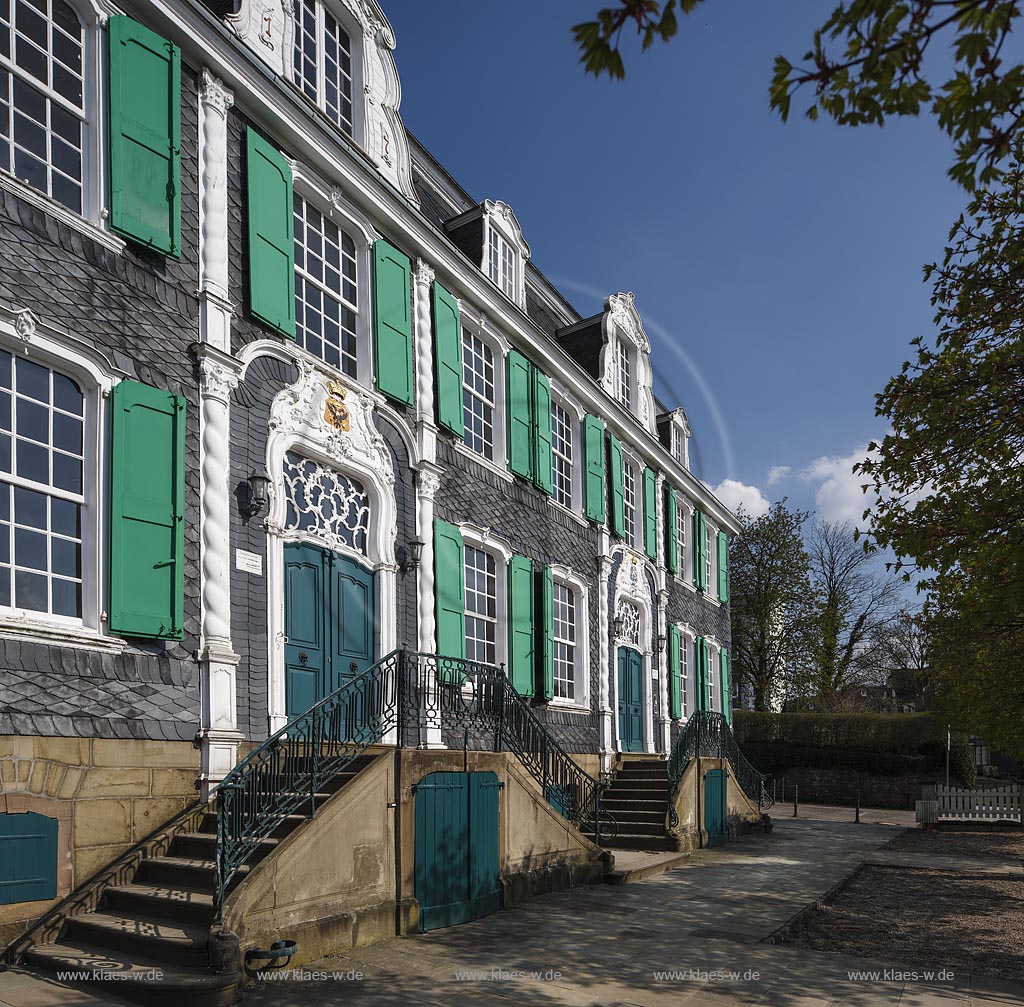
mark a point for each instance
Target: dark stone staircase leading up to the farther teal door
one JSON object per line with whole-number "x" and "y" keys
{"x": 638, "y": 800}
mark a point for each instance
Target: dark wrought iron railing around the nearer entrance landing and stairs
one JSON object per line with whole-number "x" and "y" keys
{"x": 411, "y": 694}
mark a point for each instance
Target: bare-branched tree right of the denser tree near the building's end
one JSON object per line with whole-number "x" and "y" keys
{"x": 852, "y": 599}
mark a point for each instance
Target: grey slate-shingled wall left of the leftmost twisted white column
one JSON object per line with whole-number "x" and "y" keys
{"x": 141, "y": 309}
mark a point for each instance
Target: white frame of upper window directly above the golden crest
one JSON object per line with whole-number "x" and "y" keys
{"x": 311, "y": 187}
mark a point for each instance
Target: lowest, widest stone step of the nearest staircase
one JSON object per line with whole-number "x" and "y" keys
{"x": 136, "y": 978}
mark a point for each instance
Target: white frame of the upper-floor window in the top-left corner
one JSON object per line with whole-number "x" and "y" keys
{"x": 93, "y": 220}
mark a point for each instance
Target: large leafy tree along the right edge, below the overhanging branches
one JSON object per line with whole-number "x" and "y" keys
{"x": 950, "y": 477}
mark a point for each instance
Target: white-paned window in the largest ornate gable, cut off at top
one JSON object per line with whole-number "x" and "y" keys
{"x": 323, "y": 63}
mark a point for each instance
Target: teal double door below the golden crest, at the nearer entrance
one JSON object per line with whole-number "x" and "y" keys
{"x": 330, "y": 624}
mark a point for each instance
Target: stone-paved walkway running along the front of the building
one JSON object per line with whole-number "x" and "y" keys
{"x": 689, "y": 938}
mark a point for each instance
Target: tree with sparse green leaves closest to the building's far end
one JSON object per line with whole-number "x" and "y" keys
{"x": 770, "y": 589}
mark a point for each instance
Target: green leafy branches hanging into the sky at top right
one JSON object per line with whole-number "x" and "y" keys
{"x": 870, "y": 61}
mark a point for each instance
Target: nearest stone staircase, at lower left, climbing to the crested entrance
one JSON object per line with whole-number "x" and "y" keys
{"x": 161, "y": 921}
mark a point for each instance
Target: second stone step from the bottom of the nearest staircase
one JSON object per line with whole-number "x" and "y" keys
{"x": 158, "y": 940}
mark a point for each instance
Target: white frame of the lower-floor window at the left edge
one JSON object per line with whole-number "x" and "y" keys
{"x": 97, "y": 377}
